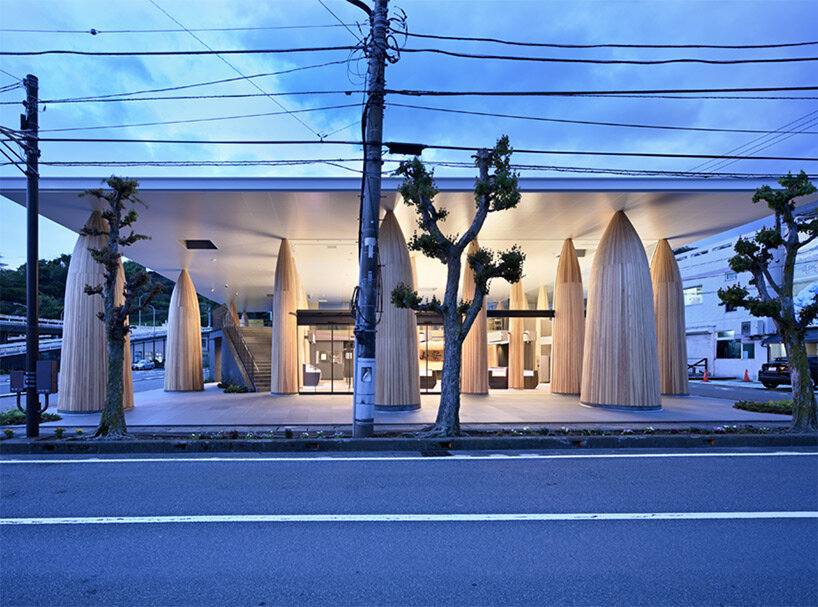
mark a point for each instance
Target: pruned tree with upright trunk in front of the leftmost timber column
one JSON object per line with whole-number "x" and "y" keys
{"x": 118, "y": 210}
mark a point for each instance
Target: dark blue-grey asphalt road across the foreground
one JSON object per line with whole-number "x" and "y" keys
{"x": 719, "y": 546}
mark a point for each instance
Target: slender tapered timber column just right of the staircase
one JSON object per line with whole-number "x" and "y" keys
{"x": 284, "y": 361}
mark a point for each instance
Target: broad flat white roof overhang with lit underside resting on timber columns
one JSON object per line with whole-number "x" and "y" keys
{"x": 246, "y": 218}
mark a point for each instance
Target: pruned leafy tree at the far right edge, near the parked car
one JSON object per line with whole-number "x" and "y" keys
{"x": 769, "y": 247}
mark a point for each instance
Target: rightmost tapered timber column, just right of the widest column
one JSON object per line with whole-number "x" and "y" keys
{"x": 668, "y": 305}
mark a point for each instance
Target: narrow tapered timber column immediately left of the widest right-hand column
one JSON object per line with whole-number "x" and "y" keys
{"x": 569, "y": 324}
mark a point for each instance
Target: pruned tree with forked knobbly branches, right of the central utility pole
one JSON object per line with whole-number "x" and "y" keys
{"x": 495, "y": 190}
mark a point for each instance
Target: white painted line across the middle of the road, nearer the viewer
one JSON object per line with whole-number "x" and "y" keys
{"x": 406, "y": 518}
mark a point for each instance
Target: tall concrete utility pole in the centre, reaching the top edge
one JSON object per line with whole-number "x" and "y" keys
{"x": 365, "y": 318}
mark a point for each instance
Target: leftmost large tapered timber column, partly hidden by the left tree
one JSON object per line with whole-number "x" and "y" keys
{"x": 84, "y": 358}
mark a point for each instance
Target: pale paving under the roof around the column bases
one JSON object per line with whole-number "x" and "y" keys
{"x": 521, "y": 407}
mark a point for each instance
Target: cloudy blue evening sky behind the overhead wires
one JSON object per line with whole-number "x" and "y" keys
{"x": 280, "y": 24}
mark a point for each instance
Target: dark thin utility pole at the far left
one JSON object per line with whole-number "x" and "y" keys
{"x": 28, "y": 124}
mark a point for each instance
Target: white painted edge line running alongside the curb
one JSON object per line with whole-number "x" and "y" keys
{"x": 381, "y": 458}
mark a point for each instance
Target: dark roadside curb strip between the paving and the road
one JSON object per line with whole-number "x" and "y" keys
{"x": 430, "y": 446}
